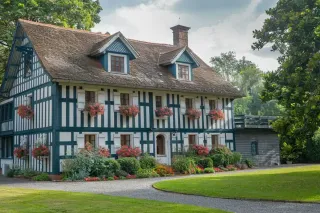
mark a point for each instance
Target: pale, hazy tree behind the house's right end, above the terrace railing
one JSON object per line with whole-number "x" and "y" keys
{"x": 246, "y": 76}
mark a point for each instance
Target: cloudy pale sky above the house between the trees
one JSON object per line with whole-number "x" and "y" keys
{"x": 216, "y": 25}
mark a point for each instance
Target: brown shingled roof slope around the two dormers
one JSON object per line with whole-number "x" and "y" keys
{"x": 65, "y": 55}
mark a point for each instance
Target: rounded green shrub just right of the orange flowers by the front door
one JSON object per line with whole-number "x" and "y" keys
{"x": 183, "y": 165}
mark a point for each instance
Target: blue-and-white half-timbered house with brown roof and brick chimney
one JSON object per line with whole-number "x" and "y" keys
{"x": 56, "y": 72}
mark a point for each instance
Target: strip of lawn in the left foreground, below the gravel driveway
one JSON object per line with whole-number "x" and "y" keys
{"x": 35, "y": 201}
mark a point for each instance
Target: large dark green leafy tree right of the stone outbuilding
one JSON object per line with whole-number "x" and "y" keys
{"x": 293, "y": 29}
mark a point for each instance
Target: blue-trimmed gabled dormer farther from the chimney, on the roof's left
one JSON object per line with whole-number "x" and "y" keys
{"x": 114, "y": 53}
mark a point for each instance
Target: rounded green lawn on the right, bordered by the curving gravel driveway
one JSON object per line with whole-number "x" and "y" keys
{"x": 290, "y": 184}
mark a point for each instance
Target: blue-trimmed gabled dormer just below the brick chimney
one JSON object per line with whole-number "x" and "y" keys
{"x": 180, "y": 63}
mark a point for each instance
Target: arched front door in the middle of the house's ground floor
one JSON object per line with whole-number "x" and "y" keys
{"x": 162, "y": 150}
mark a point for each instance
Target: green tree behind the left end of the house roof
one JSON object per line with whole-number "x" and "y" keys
{"x": 80, "y": 14}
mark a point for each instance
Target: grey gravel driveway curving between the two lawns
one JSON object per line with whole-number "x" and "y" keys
{"x": 142, "y": 188}
